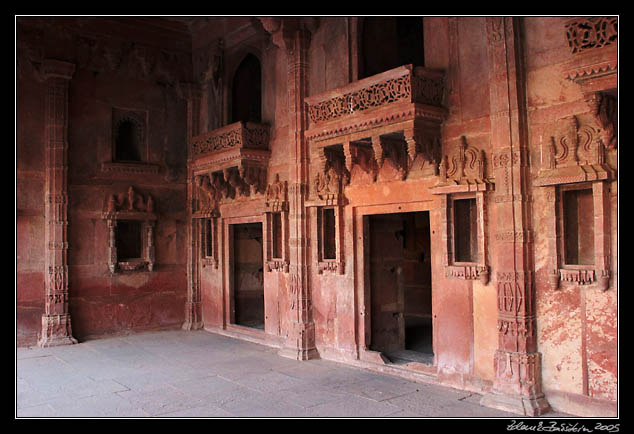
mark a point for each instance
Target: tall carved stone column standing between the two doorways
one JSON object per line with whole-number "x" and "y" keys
{"x": 300, "y": 342}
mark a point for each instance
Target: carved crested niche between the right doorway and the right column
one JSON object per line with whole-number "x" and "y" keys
{"x": 463, "y": 184}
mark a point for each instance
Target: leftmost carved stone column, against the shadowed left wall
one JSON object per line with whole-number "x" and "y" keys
{"x": 56, "y": 325}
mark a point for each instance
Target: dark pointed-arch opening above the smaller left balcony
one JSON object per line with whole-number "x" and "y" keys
{"x": 246, "y": 91}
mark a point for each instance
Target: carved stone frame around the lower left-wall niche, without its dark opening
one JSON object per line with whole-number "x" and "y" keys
{"x": 130, "y": 206}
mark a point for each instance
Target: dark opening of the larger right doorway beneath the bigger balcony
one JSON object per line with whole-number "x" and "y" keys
{"x": 400, "y": 287}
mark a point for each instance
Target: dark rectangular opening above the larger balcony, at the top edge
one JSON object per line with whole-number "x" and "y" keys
{"x": 388, "y": 42}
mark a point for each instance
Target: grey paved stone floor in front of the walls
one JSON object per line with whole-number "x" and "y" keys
{"x": 180, "y": 374}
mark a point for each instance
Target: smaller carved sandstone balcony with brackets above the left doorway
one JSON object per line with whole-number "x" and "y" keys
{"x": 228, "y": 162}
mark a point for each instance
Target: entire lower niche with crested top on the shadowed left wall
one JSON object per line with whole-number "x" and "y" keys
{"x": 130, "y": 218}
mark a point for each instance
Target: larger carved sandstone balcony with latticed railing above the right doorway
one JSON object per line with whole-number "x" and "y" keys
{"x": 395, "y": 116}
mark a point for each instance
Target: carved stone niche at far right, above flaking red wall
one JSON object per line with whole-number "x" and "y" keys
{"x": 576, "y": 177}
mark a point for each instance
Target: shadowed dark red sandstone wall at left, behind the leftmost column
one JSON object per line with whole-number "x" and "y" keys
{"x": 142, "y": 76}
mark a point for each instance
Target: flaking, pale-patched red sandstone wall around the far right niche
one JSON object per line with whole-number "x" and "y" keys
{"x": 577, "y": 326}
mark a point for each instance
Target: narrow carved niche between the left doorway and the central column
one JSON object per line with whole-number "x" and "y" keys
{"x": 276, "y": 224}
